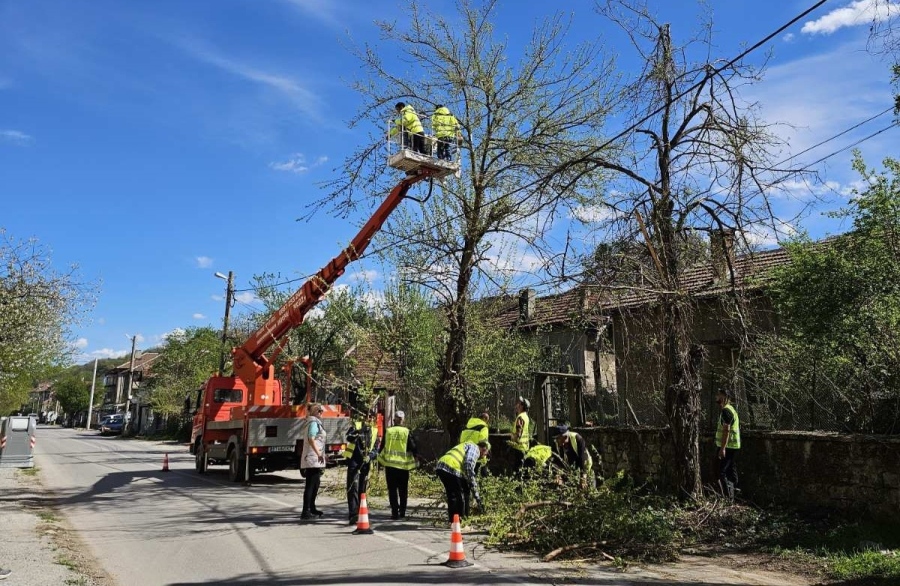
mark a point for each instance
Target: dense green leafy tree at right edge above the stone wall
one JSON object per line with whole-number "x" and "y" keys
{"x": 839, "y": 302}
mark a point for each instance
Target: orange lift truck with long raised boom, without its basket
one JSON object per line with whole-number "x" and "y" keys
{"x": 244, "y": 420}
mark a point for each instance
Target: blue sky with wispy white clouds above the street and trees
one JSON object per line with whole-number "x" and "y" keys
{"x": 155, "y": 143}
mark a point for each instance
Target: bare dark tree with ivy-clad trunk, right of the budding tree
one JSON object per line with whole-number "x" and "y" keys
{"x": 698, "y": 161}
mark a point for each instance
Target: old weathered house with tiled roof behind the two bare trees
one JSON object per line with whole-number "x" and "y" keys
{"x": 612, "y": 337}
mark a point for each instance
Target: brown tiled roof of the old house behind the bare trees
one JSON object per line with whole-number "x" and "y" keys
{"x": 586, "y": 300}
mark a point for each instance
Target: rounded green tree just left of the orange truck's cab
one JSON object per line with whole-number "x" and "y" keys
{"x": 185, "y": 362}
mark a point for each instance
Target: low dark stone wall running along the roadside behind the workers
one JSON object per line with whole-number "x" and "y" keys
{"x": 805, "y": 470}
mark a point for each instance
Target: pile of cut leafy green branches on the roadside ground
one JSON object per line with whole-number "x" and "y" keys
{"x": 627, "y": 521}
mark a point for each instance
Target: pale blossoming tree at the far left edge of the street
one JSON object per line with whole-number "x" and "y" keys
{"x": 38, "y": 307}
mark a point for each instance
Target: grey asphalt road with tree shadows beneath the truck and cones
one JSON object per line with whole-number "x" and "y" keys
{"x": 147, "y": 527}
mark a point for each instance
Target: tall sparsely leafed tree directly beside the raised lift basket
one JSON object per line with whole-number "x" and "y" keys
{"x": 521, "y": 119}
